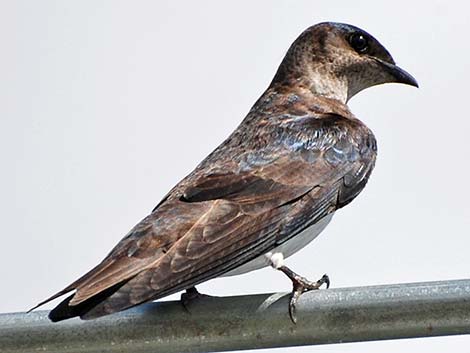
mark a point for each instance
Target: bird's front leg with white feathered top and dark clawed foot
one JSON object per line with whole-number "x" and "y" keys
{"x": 300, "y": 284}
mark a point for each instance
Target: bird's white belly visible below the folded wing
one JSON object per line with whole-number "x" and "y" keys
{"x": 288, "y": 248}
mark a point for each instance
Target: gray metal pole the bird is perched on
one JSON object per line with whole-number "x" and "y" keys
{"x": 256, "y": 321}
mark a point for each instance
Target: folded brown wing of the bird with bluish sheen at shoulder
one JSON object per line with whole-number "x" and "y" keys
{"x": 218, "y": 221}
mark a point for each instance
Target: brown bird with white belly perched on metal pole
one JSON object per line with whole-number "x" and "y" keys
{"x": 264, "y": 193}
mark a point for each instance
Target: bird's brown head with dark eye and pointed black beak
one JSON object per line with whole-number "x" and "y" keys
{"x": 339, "y": 60}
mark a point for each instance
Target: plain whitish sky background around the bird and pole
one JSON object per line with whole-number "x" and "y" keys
{"x": 105, "y": 105}
